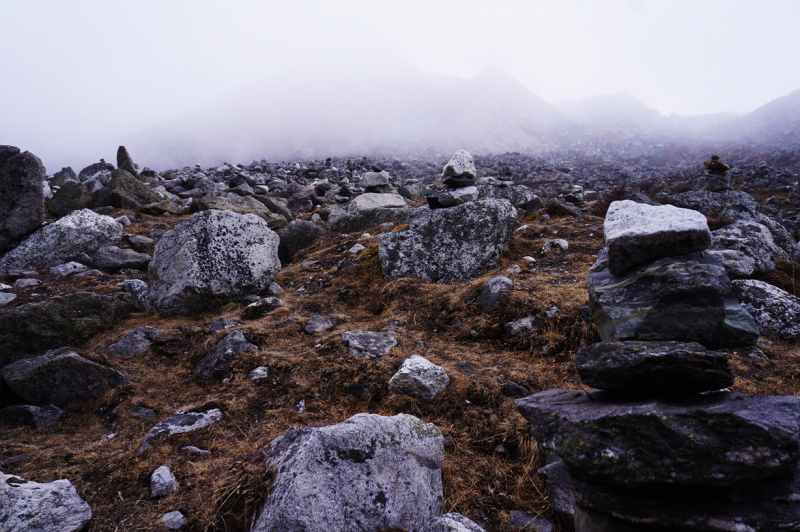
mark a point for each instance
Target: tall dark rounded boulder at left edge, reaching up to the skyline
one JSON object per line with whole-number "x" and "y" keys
{"x": 21, "y": 195}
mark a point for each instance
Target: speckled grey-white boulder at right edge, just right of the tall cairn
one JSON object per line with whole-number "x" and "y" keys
{"x": 776, "y": 311}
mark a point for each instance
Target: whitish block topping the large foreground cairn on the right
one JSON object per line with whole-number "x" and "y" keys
{"x": 636, "y": 233}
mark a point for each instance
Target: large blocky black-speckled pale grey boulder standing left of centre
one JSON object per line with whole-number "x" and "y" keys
{"x": 210, "y": 259}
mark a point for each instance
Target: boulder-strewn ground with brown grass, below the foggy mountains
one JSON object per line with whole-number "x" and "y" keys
{"x": 603, "y": 339}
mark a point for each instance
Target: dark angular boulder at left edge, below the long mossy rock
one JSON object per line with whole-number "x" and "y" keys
{"x": 62, "y": 378}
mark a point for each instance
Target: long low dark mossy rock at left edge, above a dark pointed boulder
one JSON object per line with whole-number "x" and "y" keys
{"x": 73, "y": 319}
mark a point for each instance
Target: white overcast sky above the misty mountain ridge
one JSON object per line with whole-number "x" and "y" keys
{"x": 80, "y": 71}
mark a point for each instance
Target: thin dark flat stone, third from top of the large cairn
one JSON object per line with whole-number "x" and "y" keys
{"x": 655, "y": 367}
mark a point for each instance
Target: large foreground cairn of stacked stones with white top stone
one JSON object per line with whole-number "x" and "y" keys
{"x": 662, "y": 444}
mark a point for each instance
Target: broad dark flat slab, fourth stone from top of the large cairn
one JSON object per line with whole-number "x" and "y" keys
{"x": 713, "y": 439}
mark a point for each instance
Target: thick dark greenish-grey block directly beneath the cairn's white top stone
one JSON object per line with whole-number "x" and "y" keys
{"x": 687, "y": 298}
